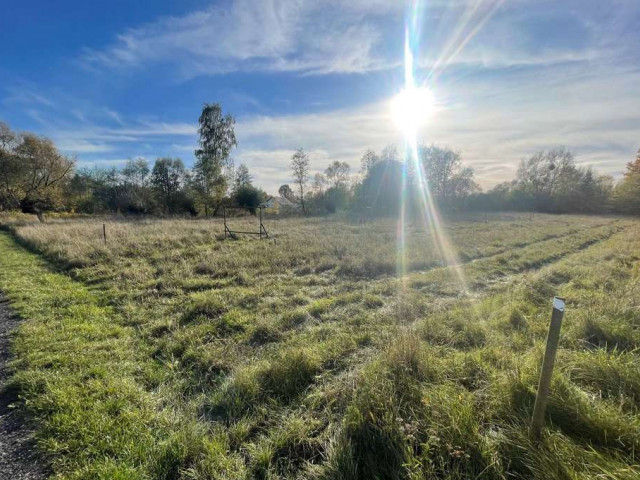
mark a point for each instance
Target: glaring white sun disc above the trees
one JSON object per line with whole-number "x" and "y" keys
{"x": 411, "y": 108}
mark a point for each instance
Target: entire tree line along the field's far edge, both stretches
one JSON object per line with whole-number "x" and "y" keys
{"x": 35, "y": 177}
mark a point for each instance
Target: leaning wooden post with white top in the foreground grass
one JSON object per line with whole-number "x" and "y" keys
{"x": 553, "y": 338}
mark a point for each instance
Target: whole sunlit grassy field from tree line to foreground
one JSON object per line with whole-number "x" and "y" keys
{"x": 172, "y": 353}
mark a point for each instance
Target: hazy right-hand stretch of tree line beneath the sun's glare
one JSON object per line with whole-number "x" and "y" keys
{"x": 549, "y": 181}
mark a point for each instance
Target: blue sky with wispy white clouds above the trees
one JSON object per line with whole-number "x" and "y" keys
{"x": 115, "y": 80}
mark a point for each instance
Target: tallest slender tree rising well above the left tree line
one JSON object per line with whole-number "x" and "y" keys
{"x": 217, "y": 139}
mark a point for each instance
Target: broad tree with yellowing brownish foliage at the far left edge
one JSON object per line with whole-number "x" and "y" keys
{"x": 32, "y": 172}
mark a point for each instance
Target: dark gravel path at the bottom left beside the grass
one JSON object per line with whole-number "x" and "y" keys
{"x": 18, "y": 460}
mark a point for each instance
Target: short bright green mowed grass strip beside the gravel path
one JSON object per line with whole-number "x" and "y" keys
{"x": 82, "y": 374}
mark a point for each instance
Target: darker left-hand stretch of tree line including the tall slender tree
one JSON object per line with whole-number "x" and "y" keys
{"x": 35, "y": 177}
